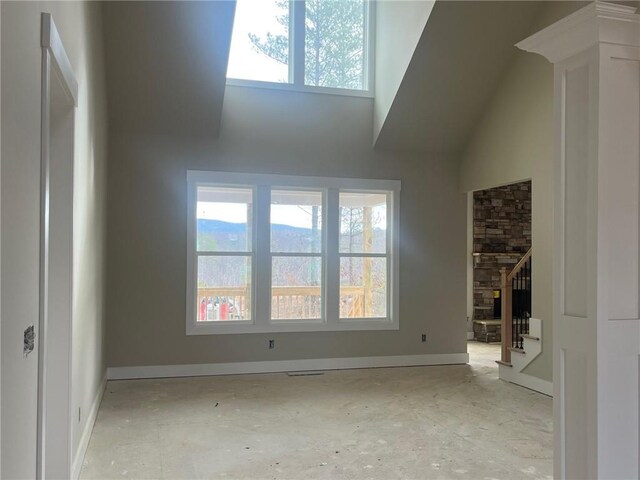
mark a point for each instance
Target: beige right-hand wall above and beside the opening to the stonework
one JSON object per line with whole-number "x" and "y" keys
{"x": 514, "y": 142}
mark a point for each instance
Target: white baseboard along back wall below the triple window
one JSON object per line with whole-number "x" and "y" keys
{"x": 273, "y": 366}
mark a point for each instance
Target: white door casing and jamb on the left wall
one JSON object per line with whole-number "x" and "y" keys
{"x": 59, "y": 99}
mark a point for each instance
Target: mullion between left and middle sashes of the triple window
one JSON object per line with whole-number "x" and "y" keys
{"x": 262, "y": 277}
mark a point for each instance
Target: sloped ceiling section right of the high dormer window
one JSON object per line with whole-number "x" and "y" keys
{"x": 458, "y": 62}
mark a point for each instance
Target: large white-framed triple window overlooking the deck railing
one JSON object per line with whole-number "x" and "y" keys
{"x": 278, "y": 253}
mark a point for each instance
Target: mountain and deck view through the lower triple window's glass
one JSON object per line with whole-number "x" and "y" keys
{"x": 225, "y": 253}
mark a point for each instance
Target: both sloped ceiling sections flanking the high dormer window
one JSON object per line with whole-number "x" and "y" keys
{"x": 166, "y": 69}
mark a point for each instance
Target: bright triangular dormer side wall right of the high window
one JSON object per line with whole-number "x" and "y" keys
{"x": 399, "y": 26}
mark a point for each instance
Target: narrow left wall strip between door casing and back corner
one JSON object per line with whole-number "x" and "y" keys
{"x": 89, "y": 233}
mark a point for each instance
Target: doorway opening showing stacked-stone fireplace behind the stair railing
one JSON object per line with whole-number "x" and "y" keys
{"x": 499, "y": 237}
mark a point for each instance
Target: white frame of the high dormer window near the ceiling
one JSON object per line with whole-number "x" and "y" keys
{"x": 296, "y": 57}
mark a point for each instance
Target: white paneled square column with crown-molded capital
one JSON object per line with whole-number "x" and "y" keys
{"x": 596, "y": 57}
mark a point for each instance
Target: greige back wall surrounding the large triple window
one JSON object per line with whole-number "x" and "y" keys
{"x": 269, "y": 131}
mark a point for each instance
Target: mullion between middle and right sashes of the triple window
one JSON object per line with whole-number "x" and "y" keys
{"x": 332, "y": 258}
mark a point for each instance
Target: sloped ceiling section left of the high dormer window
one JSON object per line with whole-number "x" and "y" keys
{"x": 166, "y": 65}
